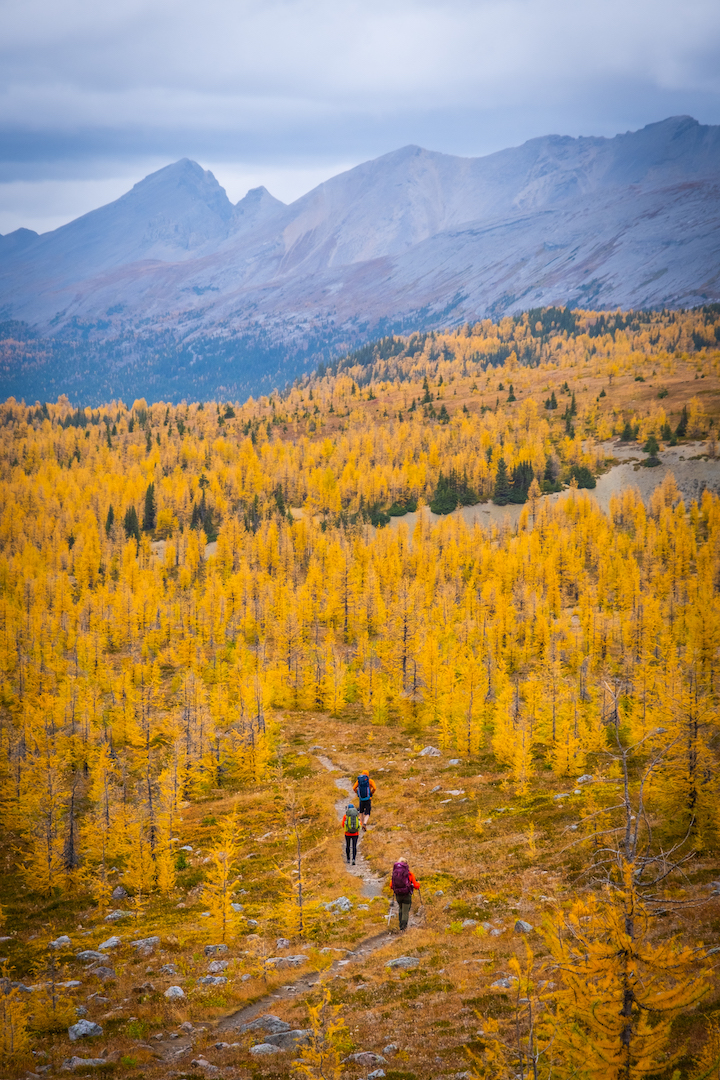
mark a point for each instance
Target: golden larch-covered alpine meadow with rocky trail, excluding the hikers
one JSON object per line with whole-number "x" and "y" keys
{"x": 417, "y": 563}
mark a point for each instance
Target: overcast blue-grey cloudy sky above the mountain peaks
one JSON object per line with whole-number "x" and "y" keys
{"x": 94, "y": 96}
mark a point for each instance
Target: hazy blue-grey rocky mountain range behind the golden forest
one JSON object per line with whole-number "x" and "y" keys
{"x": 172, "y": 291}
